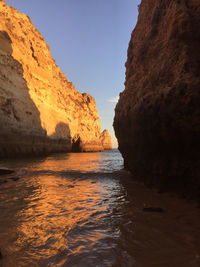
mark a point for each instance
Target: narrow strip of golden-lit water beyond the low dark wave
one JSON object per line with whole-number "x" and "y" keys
{"x": 107, "y": 161}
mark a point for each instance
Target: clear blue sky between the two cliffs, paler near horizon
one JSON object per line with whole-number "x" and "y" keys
{"x": 88, "y": 40}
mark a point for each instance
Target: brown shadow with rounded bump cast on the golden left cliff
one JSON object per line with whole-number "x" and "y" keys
{"x": 21, "y": 131}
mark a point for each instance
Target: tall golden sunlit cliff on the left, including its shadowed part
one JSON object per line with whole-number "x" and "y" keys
{"x": 40, "y": 110}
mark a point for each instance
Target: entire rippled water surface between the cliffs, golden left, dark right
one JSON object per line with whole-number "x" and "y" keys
{"x": 82, "y": 209}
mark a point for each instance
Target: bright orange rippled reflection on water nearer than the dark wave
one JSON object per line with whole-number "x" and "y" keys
{"x": 61, "y": 216}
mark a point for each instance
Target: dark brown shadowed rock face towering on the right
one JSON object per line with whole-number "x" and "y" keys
{"x": 157, "y": 118}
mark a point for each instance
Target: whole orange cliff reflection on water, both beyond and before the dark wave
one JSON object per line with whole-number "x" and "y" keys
{"x": 59, "y": 210}
